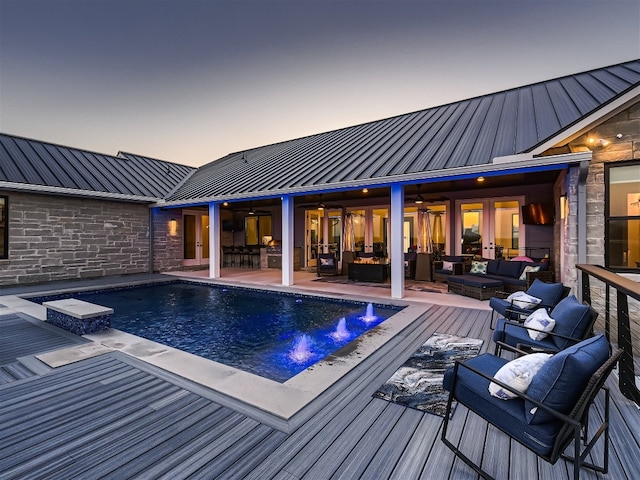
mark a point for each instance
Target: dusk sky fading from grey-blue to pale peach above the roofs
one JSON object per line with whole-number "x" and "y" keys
{"x": 192, "y": 80}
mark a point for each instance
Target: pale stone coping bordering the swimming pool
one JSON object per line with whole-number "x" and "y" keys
{"x": 276, "y": 404}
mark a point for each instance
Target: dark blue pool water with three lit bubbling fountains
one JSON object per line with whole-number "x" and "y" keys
{"x": 253, "y": 330}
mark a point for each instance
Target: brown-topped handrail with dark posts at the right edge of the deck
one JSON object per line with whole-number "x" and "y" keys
{"x": 625, "y": 288}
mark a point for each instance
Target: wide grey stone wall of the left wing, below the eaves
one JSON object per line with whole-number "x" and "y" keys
{"x": 62, "y": 238}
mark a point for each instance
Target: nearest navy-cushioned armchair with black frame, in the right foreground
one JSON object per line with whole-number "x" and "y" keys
{"x": 551, "y": 415}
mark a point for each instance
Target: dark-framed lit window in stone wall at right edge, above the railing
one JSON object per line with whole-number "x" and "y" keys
{"x": 622, "y": 251}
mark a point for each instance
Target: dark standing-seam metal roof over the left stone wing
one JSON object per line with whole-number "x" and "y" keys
{"x": 48, "y": 168}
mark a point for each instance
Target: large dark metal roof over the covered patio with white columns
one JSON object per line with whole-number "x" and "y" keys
{"x": 450, "y": 138}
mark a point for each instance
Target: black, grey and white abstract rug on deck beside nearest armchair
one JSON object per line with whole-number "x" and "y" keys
{"x": 418, "y": 382}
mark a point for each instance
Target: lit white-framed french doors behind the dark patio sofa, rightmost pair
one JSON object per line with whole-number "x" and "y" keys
{"x": 489, "y": 227}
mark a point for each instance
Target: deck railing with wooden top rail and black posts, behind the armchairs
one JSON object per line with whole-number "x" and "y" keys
{"x": 619, "y": 320}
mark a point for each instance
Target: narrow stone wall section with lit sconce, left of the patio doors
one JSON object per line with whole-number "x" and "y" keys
{"x": 167, "y": 242}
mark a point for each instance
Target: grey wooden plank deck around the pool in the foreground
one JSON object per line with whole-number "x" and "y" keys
{"x": 113, "y": 416}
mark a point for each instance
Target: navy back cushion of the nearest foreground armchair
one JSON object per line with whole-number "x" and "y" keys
{"x": 561, "y": 380}
